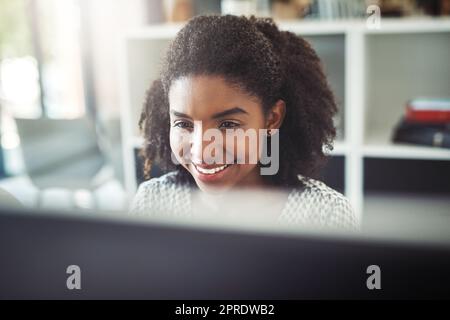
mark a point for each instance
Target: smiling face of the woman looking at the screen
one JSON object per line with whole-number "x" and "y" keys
{"x": 199, "y": 104}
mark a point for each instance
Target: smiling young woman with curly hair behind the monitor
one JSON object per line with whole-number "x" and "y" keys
{"x": 227, "y": 73}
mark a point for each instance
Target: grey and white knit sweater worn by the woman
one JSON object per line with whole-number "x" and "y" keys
{"x": 315, "y": 204}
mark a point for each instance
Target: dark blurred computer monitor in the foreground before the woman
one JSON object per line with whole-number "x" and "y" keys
{"x": 122, "y": 258}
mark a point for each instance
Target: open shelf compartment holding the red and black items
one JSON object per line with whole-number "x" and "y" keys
{"x": 400, "y": 67}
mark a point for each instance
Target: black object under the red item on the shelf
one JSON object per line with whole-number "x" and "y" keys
{"x": 431, "y": 134}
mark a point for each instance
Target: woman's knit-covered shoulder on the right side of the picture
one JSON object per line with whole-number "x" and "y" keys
{"x": 318, "y": 204}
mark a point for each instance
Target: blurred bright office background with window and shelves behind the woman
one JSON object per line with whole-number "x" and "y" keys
{"x": 73, "y": 74}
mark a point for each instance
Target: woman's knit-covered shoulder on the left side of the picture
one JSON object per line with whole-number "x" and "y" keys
{"x": 163, "y": 194}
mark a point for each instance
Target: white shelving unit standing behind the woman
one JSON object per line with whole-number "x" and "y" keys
{"x": 372, "y": 72}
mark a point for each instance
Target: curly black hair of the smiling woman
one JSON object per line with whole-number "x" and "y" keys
{"x": 253, "y": 54}
